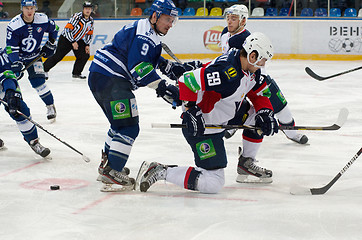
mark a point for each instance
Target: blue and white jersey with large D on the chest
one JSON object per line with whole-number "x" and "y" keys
{"x": 25, "y": 39}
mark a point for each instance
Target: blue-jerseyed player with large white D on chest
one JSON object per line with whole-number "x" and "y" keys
{"x": 24, "y": 37}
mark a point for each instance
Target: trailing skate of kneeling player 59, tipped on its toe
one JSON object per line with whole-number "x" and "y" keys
{"x": 150, "y": 173}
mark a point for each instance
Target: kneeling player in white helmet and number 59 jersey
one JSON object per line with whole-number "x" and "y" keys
{"x": 210, "y": 96}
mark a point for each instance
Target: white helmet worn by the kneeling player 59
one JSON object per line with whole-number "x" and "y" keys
{"x": 259, "y": 43}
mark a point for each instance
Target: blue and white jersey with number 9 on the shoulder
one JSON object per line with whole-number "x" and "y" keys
{"x": 133, "y": 54}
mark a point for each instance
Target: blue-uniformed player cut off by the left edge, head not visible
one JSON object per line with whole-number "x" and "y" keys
{"x": 11, "y": 94}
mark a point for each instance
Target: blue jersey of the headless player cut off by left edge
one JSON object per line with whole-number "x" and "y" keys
{"x": 7, "y": 78}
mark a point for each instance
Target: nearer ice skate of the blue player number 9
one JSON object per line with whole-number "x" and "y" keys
{"x": 116, "y": 181}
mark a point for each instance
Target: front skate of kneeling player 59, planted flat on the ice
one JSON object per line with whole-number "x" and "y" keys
{"x": 249, "y": 172}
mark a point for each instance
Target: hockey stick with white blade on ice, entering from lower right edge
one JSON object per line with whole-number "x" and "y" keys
{"x": 297, "y": 190}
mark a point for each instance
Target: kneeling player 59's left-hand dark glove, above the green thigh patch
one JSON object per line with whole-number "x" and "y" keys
{"x": 195, "y": 123}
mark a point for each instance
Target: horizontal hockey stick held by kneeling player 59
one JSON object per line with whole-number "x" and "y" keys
{"x": 342, "y": 118}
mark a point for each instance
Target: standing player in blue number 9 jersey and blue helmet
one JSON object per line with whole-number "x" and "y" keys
{"x": 127, "y": 63}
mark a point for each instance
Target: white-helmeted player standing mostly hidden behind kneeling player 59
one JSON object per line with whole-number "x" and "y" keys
{"x": 232, "y": 37}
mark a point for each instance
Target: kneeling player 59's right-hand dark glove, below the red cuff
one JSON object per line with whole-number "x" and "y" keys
{"x": 265, "y": 120}
